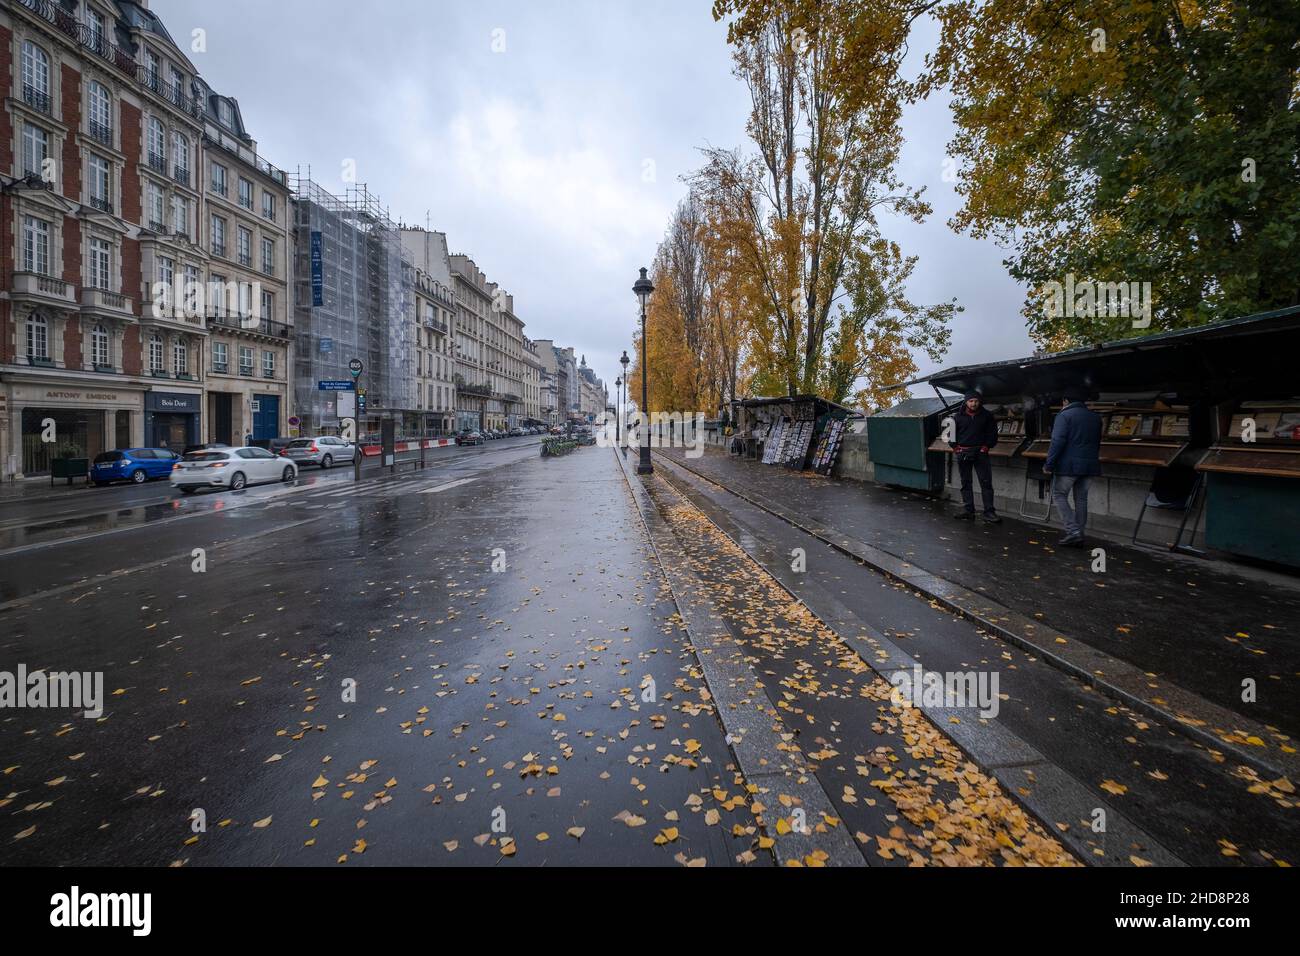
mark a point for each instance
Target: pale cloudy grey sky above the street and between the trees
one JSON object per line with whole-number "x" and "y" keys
{"x": 548, "y": 140}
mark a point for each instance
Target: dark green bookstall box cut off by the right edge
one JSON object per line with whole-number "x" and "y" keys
{"x": 1254, "y": 482}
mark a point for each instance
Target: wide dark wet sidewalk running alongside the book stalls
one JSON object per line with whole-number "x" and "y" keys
{"x": 1169, "y": 633}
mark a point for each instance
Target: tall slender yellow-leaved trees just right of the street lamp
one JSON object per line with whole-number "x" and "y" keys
{"x": 808, "y": 293}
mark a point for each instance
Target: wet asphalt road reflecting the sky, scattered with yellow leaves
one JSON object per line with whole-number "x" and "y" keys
{"x": 499, "y": 715}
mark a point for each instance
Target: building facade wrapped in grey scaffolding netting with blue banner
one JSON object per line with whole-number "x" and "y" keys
{"x": 367, "y": 302}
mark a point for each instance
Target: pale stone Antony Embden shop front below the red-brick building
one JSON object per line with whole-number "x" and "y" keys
{"x": 54, "y": 419}
